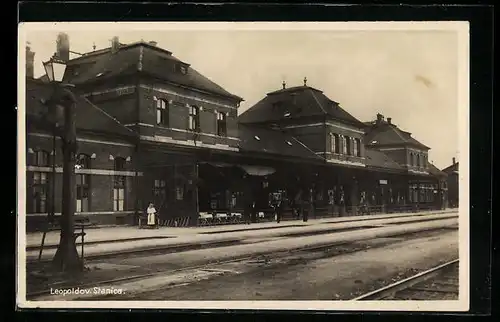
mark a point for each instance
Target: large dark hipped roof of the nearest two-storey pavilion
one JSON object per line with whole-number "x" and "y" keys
{"x": 144, "y": 58}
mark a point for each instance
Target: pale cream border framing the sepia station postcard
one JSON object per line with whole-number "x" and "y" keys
{"x": 462, "y": 29}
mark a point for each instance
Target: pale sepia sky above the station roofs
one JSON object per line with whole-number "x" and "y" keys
{"x": 408, "y": 75}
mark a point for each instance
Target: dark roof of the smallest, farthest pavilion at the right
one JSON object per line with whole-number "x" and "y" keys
{"x": 381, "y": 132}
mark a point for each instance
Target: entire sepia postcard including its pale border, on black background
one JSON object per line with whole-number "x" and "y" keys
{"x": 266, "y": 165}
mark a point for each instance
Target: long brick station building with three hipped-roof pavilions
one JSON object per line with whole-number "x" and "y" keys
{"x": 151, "y": 128}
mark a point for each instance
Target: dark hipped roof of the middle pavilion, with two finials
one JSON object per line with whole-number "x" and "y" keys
{"x": 295, "y": 103}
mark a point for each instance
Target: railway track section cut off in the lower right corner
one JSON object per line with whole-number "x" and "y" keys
{"x": 438, "y": 283}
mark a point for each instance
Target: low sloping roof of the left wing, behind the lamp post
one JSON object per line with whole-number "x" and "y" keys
{"x": 89, "y": 116}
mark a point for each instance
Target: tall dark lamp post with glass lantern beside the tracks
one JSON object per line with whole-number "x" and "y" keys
{"x": 66, "y": 257}
